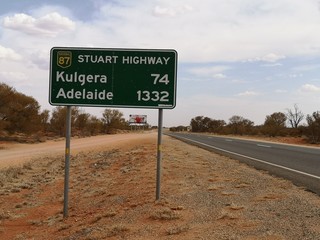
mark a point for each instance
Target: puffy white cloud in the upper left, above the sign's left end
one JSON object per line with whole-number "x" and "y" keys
{"x": 48, "y": 25}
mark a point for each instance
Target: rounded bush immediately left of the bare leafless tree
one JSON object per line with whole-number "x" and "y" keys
{"x": 275, "y": 124}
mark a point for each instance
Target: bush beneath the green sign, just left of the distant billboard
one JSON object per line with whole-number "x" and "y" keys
{"x": 113, "y": 119}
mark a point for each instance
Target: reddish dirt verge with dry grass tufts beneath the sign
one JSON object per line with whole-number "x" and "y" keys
{"x": 112, "y": 196}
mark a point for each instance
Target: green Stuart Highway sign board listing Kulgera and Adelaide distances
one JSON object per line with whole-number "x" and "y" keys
{"x": 140, "y": 78}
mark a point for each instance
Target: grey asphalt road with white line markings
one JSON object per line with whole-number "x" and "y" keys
{"x": 299, "y": 164}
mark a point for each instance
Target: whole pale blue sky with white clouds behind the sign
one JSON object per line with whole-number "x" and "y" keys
{"x": 235, "y": 57}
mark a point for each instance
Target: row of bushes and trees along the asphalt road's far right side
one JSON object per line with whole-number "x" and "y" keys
{"x": 277, "y": 124}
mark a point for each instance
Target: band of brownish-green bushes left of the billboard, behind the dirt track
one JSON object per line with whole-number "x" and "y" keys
{"x": 21, "y": 119}
